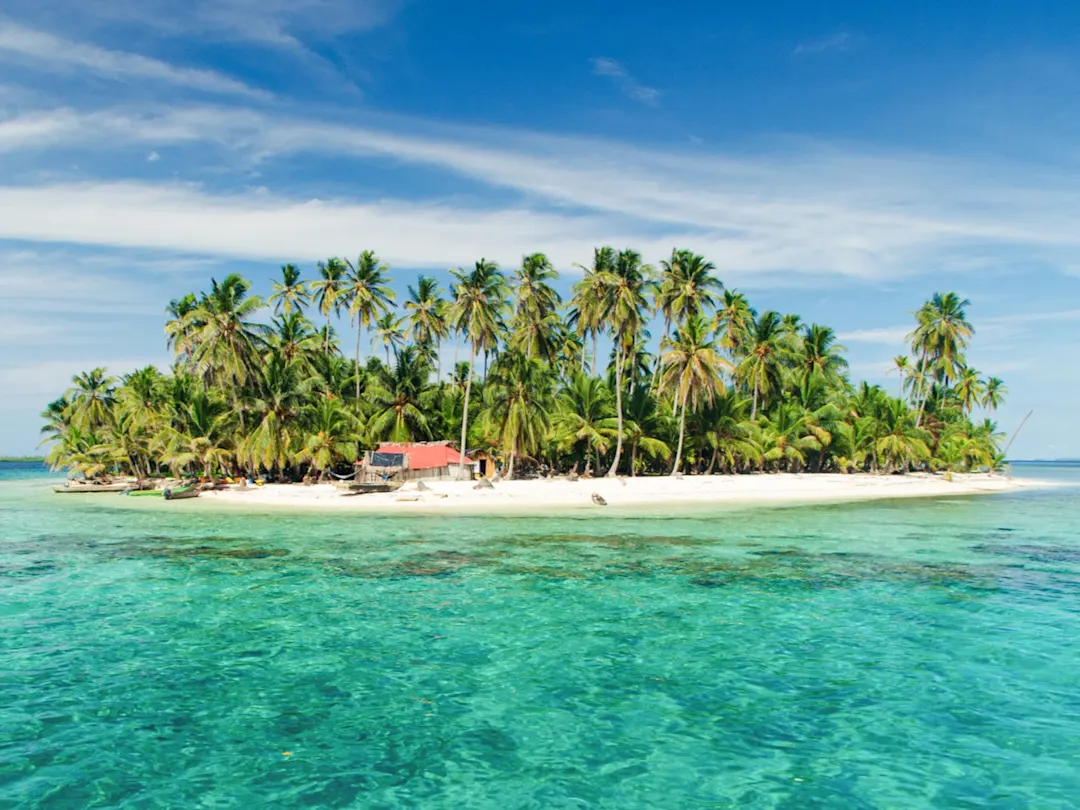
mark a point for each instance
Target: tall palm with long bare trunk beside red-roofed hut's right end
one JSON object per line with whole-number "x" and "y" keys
{"x": 480, "y": 302}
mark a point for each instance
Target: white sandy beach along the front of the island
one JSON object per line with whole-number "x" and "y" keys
{"x": 560, "y": 496}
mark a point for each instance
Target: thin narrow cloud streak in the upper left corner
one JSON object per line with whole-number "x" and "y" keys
{"x": 43, "y": 51}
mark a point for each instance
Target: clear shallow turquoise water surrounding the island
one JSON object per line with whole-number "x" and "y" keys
{"x": 916, "y": 654}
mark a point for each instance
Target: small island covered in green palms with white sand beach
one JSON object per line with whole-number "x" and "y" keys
{"x": 267, "y": 391}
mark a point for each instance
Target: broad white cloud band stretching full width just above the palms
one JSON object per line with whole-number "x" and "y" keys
{"x": 813, "y": 211}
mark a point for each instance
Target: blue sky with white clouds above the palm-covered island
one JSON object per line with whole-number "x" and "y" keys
{"x": 841, "y": 160}
